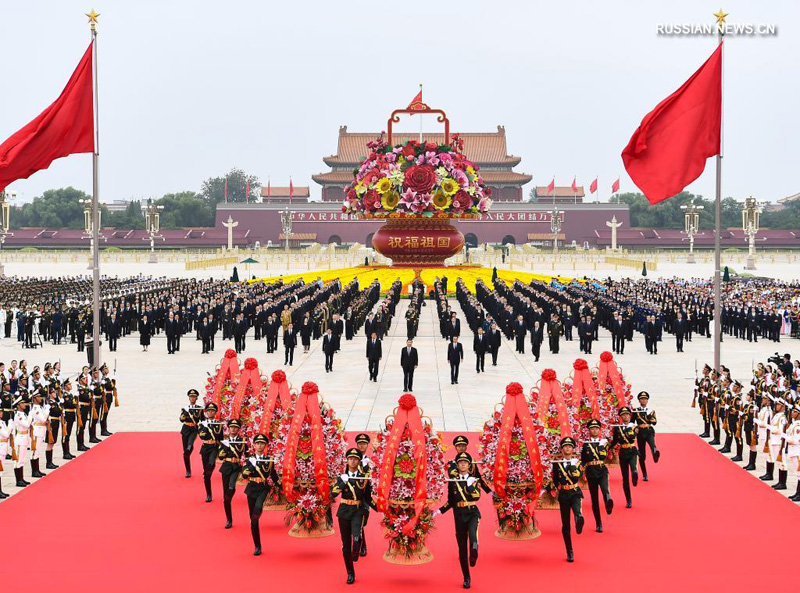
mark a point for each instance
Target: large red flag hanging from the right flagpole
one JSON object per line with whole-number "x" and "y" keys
{"x": 670, "y": 147}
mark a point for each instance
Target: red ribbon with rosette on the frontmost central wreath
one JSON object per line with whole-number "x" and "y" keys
{"x": 406, "y": 415}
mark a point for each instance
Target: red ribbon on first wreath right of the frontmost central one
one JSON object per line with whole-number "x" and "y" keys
{"x": 516, "y": 406}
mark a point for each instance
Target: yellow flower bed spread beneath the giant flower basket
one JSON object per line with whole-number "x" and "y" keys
{"x": 387, "y": 275}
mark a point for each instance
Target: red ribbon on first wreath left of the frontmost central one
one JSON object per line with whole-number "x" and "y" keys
{"x": 307, "y": 405}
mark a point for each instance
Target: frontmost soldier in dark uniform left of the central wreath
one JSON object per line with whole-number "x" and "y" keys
{"x": 356, "y": 491}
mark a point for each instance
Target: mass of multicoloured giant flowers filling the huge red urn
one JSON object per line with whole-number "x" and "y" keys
{"x": 417, "y": 179}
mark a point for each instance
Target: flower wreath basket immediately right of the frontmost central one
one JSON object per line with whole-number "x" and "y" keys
{"x": 509, "y": 449}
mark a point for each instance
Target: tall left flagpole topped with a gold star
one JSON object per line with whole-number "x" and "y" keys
{"x": 95, "y": 201}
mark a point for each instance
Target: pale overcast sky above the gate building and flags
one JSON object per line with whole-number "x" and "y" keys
{"x": 189, "y": 89}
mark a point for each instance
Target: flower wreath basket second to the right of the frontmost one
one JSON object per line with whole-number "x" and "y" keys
{"x": 557, "y": 417}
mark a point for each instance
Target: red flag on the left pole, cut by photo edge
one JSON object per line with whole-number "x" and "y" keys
{"x": 64, "y": 128}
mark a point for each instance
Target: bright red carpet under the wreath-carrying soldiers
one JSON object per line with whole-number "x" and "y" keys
{"x": 123, "y": 518}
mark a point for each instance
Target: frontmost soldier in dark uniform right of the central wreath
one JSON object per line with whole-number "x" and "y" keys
{"x": 463, "y": 493}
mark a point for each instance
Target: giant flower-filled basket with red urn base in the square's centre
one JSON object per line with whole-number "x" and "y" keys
{"x": 418, "y": 187}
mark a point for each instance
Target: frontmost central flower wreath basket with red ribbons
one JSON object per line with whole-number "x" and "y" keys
{"x": 408, "y": 479}
